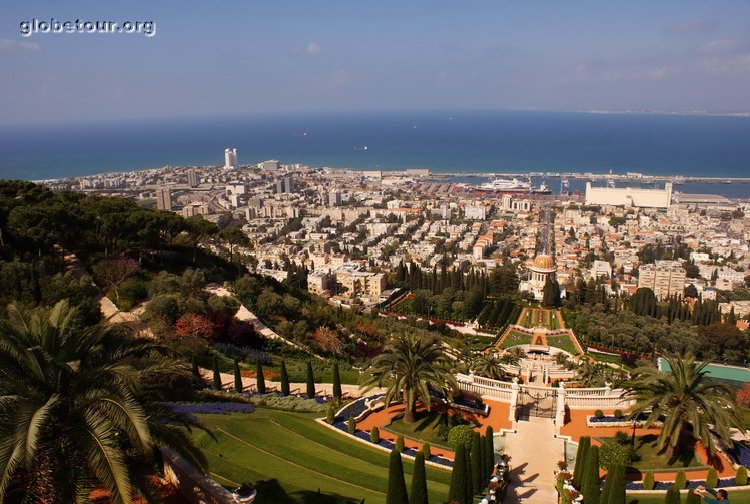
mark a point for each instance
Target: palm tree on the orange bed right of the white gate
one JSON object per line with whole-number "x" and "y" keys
{"x": 686, "y": 401}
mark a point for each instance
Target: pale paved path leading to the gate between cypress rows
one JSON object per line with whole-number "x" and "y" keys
{"x": 534, "y": 452}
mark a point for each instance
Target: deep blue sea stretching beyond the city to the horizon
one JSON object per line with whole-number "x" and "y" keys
{"x": 469, "y": 142}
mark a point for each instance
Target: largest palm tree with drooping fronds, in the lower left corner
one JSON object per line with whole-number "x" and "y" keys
{"x": 75, "y": 408}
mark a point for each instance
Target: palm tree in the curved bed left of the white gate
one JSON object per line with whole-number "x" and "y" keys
{"x": 411, "y": 367}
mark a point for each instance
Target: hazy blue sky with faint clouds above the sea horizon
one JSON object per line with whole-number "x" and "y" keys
{"x": 219, "y": 57}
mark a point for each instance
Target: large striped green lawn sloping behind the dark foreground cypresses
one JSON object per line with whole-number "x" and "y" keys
{"x": 291, "y": 457}
